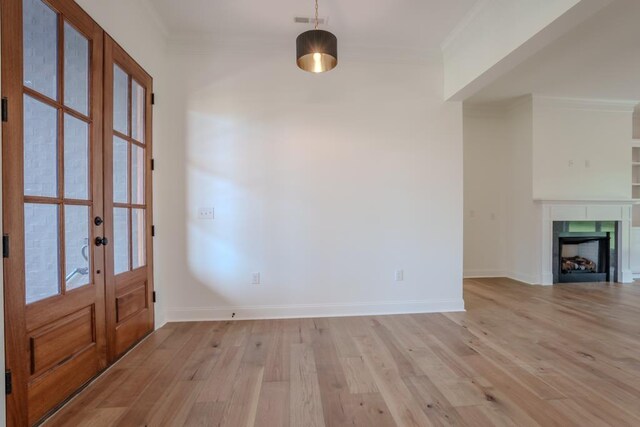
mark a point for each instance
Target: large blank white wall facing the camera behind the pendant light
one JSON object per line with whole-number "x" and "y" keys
{"x": 325, "y": 184}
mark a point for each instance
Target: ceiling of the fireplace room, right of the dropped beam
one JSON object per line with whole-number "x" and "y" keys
{"x": 600, "y": 59}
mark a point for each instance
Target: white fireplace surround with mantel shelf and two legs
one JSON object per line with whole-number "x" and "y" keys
{"x": 587, "y": 210}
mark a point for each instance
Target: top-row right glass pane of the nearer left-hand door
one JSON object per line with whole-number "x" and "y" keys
{"x": 76, "y": 70}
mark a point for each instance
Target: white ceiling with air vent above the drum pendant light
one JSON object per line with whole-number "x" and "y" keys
{"x": 406, "y": 24}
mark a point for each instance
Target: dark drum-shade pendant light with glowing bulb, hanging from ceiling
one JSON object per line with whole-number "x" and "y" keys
{"x": 317, "y": 50}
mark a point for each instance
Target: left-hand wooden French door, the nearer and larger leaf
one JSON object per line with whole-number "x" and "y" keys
{"x": 52, "y": 69}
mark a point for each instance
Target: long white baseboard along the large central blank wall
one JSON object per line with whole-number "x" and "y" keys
{"x": 185, "y": 314}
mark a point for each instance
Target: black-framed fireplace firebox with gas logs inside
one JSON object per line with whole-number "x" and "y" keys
{"x": 584, "y": 257}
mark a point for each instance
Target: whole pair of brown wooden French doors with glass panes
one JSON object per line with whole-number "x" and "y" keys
{"x": 77, "y": 266}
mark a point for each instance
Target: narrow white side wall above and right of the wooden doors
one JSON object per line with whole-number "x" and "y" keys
{"x": 133, "y": 24}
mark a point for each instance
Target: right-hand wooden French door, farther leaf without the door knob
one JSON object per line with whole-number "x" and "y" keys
{"x": 127, "y": 139}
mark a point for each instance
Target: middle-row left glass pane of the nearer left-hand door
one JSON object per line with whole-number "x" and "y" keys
{"x": 40, "y": 148}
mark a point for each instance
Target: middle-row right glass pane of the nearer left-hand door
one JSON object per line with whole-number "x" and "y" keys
{"x": 76, "y": 158}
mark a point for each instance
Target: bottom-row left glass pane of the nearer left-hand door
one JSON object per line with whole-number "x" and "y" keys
{"x": 42, "y": 272}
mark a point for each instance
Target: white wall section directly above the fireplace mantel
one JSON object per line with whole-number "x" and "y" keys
{"x": 582, "y": 150}
